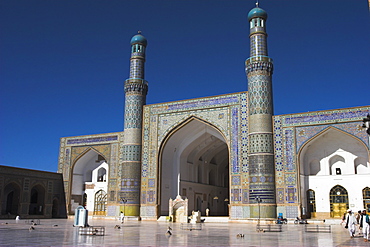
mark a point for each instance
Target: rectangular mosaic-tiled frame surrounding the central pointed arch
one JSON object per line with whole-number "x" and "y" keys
{"x": 219, "y": 111}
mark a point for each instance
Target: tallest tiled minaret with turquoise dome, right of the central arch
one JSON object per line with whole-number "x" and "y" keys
{"x": 261, "y": 153}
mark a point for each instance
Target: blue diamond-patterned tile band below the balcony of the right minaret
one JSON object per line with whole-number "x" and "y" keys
{"x": 259, "y": 93}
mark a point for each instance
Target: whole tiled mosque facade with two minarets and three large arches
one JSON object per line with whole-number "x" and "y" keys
{"x": 226, "y": 153}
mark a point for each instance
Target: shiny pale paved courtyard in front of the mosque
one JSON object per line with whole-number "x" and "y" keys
{"x": 60, "y": 232}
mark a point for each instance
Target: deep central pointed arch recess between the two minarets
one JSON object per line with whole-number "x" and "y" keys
{"x": 189, "y": 154}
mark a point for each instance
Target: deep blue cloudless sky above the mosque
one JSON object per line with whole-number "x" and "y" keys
{"x": 63, "y": 63}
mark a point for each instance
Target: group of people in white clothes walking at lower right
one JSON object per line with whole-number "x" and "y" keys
{"x": 361, "y": 219}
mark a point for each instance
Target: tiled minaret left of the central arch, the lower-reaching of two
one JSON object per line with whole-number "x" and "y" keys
{"x": 136, "y": 89}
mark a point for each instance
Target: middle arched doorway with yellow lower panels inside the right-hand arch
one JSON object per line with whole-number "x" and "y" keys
{"x": 338, "y": 201}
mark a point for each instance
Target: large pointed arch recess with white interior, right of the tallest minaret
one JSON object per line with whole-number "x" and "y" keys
{"x": 330, "y": 156}
